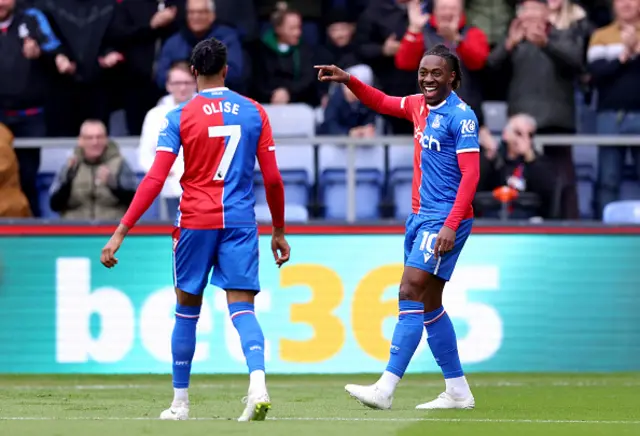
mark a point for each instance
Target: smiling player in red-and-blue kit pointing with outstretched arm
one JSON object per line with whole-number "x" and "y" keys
{"x": 446, "y": 172}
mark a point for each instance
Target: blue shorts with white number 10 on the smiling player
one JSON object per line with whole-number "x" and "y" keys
{"x": 419, "y": 240}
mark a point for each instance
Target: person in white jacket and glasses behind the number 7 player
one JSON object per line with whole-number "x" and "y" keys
{"x": 181, "y": 86}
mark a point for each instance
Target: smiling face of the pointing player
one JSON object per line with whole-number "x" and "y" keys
{"x": 435, "y": 78}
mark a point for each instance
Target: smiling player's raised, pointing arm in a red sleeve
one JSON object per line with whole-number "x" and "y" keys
{"x": 368, "y": 95}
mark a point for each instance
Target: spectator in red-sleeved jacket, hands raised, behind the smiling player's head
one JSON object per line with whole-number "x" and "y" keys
{"x": 446, "y": 26}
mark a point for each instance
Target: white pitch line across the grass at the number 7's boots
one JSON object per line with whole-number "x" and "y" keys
{"x": 459, "y": 420}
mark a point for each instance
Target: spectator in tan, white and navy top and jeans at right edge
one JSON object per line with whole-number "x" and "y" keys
{"x": 614, "y": 63}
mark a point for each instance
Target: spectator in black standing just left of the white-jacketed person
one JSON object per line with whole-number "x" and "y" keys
{"x": 140, "y": 28}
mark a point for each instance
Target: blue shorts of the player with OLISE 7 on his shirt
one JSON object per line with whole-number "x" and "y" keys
{"x": 232, "y": 253}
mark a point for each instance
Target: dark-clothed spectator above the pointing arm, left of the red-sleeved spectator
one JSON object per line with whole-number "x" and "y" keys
{"x": 377, "y": 41}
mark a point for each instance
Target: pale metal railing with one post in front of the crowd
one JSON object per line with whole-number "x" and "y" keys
{"x": 351, "y": 143}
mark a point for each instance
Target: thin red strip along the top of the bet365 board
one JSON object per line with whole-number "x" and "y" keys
{"x": 320, "y": 229}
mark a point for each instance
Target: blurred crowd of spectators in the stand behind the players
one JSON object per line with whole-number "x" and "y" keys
{"x": 67, "y": 65}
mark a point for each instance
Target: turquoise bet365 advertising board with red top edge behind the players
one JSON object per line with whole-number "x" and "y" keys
{"x": 534, "y": 298}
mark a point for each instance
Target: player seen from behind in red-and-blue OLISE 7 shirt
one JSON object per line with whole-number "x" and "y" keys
{"x": 221, "y": 133}
